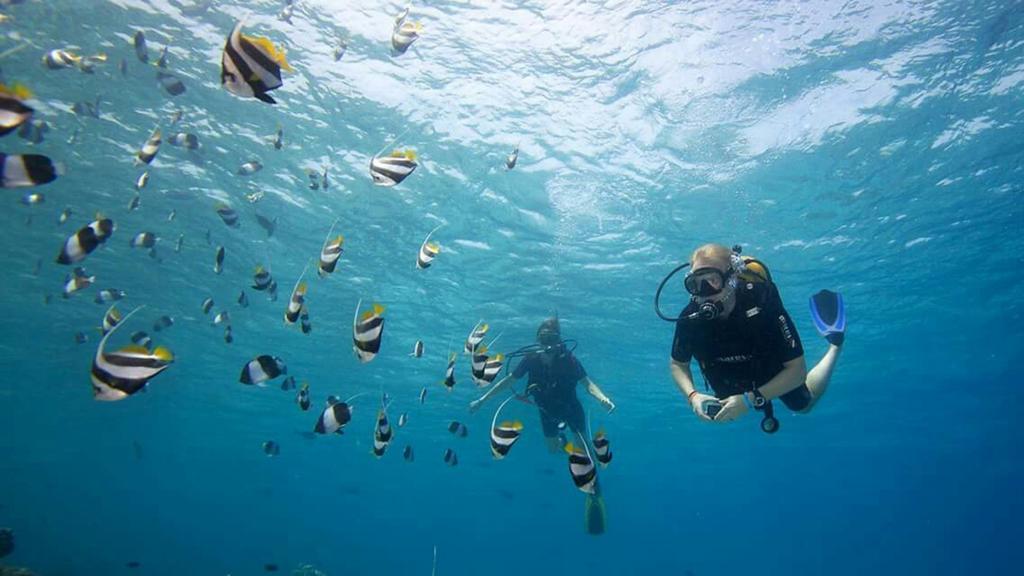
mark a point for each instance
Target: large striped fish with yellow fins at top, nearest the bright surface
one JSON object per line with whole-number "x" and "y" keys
{"x": 251, "y": 67}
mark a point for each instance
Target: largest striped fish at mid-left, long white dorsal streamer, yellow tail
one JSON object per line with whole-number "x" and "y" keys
{"x": 119, "y": 375}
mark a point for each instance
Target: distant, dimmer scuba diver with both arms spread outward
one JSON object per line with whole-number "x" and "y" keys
{"x": 554, "y": 375}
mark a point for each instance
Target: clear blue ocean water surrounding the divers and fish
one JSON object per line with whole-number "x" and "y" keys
{"x": 872, "y": 148}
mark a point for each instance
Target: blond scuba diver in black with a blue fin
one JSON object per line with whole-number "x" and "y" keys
{"x": 745, "y": 342}
